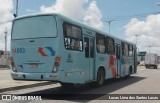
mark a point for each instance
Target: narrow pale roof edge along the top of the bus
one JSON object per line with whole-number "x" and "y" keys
{"x": 75, "y": 22}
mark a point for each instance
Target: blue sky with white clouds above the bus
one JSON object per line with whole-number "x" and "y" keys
{"x": 129, "y": 17}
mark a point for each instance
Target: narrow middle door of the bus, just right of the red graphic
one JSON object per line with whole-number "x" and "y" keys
{"x": 118, "y": 62}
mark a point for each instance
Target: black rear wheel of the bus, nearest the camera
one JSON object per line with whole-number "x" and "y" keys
{"x": 100, "y": 77}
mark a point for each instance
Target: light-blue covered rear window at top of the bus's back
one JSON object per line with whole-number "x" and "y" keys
{"x": 34, "y": 27}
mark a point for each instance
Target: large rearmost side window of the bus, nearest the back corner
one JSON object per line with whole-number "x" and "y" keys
{"x": 72, "y": 37}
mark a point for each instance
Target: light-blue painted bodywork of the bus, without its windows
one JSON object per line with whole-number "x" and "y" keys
{"x": 35, "y": 57}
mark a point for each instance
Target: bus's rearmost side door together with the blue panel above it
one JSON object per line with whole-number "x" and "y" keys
{"x": 89, "y": 54}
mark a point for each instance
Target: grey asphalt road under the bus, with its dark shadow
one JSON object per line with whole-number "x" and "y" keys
{"x": 146, "y": 81}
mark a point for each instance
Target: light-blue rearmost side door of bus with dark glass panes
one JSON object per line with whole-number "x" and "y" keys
{"x": 89, "y": 56}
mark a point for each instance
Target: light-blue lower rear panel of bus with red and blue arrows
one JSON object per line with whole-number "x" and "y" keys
{"x": 34, "y": 57}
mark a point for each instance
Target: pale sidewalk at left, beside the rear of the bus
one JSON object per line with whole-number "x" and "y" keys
{"x": 7, "y": 83}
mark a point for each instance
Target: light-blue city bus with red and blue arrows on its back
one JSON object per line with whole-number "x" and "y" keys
{"x": 52, "y": 47}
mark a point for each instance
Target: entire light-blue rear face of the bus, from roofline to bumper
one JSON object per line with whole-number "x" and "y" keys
{"x": 34, "y": 46}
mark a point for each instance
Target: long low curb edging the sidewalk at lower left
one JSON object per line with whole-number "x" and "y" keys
{"x": 26, "y": 86}
